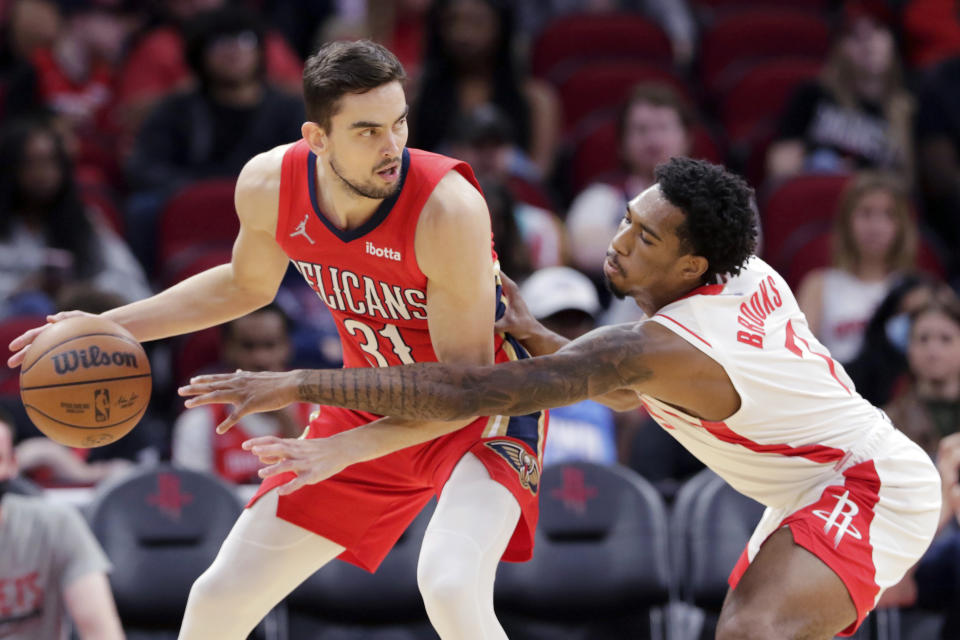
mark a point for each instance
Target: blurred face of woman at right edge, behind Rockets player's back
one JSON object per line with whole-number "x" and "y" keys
{"x": 934, "y": 351}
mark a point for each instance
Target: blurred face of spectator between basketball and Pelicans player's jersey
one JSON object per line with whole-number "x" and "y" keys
{"x": 257, "y": 342}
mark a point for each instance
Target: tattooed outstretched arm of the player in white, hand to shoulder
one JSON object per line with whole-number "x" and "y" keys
{"x": 609, "y": 358}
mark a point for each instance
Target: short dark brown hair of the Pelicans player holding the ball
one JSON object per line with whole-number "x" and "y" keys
{"x": 338, "y": 68}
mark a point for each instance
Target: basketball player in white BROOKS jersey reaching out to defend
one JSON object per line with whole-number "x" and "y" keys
{"x": 726, "y": 363}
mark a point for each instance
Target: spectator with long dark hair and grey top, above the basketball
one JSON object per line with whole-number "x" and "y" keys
{"x": 47, "y": 237}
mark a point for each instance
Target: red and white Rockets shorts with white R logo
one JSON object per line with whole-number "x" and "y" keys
{"x": 869, "y": 523}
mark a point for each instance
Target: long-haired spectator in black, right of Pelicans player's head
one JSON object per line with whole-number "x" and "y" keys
{"x": 469, "y": 62}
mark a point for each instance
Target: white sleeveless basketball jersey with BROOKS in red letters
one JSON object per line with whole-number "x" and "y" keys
{"x": 800, "y": 416}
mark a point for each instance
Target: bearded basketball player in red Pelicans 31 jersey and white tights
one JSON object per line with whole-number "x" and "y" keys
{"x": 397, "y": 243}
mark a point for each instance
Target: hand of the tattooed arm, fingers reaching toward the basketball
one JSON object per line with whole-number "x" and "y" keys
{"x": 248, "y": 392}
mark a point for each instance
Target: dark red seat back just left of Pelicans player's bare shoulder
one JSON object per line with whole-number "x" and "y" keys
{"x": 199, "y": 215}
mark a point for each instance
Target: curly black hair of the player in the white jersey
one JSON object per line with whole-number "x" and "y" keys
{"x": 720, "y": 222}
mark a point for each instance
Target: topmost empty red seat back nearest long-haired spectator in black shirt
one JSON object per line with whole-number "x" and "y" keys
{"x": 738, "y": 40}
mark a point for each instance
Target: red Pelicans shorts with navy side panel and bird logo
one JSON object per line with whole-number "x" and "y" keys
{"x": 367, "y": 506}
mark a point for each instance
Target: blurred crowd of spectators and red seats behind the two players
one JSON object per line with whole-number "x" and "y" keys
{"x": 126, "y": 122}
